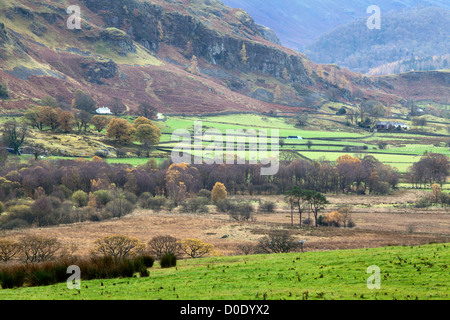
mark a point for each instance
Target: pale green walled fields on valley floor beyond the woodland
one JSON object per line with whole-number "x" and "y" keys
{"x": 402, "y": 151}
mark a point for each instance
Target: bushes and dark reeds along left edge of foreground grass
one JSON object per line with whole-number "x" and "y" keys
{"x": 45, "y": 261}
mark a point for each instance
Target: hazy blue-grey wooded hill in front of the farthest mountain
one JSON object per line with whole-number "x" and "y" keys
{"x": 411, "y": 37}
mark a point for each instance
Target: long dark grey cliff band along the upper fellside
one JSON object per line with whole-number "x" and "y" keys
{"x": 150, "y": 25}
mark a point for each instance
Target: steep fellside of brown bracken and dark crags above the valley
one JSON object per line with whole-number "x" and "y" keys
{"x": 190, "y": 56}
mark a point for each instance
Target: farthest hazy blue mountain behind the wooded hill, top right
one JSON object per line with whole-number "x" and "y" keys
{"x": 299, "y": 23}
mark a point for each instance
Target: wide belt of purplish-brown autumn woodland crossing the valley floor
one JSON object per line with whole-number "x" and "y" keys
{"x": 52, "y": 192}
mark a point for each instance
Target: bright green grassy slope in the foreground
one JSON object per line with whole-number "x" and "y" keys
{"x": 407, "y": 273}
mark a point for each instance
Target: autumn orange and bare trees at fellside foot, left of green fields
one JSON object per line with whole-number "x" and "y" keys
{"x": 79, "y": 117}
